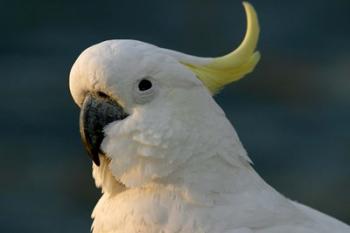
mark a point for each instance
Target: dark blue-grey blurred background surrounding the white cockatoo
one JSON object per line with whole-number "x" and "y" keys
{"x": 292, "y": 113}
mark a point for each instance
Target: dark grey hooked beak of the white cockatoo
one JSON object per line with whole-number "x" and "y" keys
{"x": 96, "y": 112}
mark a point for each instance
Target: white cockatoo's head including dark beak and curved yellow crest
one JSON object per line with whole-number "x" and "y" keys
{"x": 150, "y": 110}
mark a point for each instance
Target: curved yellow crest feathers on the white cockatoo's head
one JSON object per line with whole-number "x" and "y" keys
{"x": 221, "y": 71}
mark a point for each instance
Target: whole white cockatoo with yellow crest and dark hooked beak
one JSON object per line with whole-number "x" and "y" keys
{"x": 165, "y": 156}
